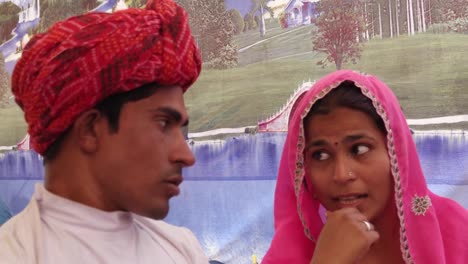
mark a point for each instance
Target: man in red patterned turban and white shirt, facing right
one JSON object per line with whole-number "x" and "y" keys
{"x": 103, "y": 98}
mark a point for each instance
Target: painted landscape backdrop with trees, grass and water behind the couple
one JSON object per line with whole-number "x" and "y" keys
{"x": 259, "y": 56}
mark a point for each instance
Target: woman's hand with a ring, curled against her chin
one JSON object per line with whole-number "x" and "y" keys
{"x": 344, "y": 239}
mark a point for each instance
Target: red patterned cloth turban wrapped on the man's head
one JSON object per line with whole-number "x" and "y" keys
{"x": 84, "y": 59}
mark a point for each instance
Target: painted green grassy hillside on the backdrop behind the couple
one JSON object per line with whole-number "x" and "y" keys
{"x": 429, "y": 74}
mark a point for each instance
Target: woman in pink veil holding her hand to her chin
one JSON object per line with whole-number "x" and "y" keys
{"x": 350, "y": 187}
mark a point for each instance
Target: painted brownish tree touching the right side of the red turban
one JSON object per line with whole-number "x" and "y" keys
{"x": 213, "y": 29}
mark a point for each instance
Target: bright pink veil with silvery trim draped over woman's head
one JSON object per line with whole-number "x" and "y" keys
{"x": 433, "y": 229}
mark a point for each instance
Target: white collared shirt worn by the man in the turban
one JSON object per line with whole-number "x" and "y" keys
{"x": 52, "y": 229}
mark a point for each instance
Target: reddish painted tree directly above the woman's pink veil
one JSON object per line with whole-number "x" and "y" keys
{"x": 338, "y": 25}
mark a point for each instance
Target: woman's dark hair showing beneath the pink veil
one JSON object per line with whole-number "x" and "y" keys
{"x": 347, "y": 94}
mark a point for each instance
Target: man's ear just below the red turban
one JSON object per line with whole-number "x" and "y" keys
{"x": 89, "y": 128}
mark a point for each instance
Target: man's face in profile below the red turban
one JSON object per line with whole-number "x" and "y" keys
{"x": 139, "y": 167}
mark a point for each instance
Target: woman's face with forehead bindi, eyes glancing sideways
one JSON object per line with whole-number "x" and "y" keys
{"x": 347, "y": 163}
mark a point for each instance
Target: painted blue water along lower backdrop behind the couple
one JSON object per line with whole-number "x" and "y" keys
{"x": 227, "y": 197}
